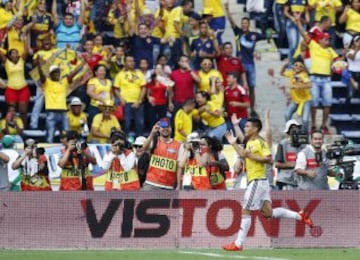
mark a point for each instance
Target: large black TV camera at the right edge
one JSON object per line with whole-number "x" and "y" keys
{"x": 336, "y": 152}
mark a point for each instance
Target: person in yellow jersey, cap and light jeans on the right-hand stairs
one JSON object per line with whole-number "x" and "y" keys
{"x": 300, "y": 86}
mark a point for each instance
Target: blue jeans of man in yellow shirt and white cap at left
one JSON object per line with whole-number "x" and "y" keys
{"x": 54, "y": 119}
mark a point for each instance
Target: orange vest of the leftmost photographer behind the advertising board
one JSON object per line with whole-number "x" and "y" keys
{"x": 37, "y": 182}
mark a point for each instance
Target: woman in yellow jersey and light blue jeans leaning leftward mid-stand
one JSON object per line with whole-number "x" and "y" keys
{"x": 210, "y": 115}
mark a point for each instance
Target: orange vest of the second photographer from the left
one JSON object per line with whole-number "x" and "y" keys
{"x": 71, "y": 178}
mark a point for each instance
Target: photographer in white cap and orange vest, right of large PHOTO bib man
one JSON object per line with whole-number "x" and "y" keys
{"x": 195, "y": 177}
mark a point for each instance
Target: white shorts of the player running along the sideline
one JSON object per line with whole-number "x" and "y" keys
{"x": 257, "y": 192}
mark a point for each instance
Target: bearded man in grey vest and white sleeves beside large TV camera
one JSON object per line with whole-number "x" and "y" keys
{"x": 312, "y": 166}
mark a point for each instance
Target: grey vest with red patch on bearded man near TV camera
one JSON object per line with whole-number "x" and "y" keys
{"x": 320, "y": 182}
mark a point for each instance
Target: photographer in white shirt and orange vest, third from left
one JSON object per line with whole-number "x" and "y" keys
{"x": 120, "y": 165}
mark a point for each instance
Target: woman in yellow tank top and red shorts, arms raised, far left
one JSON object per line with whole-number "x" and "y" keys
{"x": 17, "y": 91}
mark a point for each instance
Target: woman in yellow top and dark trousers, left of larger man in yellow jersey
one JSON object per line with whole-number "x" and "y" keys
{"x": 99, "y": 89}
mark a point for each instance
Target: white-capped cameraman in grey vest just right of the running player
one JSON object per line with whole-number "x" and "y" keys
{"x": 285, "y": 157}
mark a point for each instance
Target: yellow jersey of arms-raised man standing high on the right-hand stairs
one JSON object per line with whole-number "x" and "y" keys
{"x": 321, "y": 58}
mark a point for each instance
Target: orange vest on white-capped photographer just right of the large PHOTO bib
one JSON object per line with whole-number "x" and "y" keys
{"x": 196, "y": 176}
